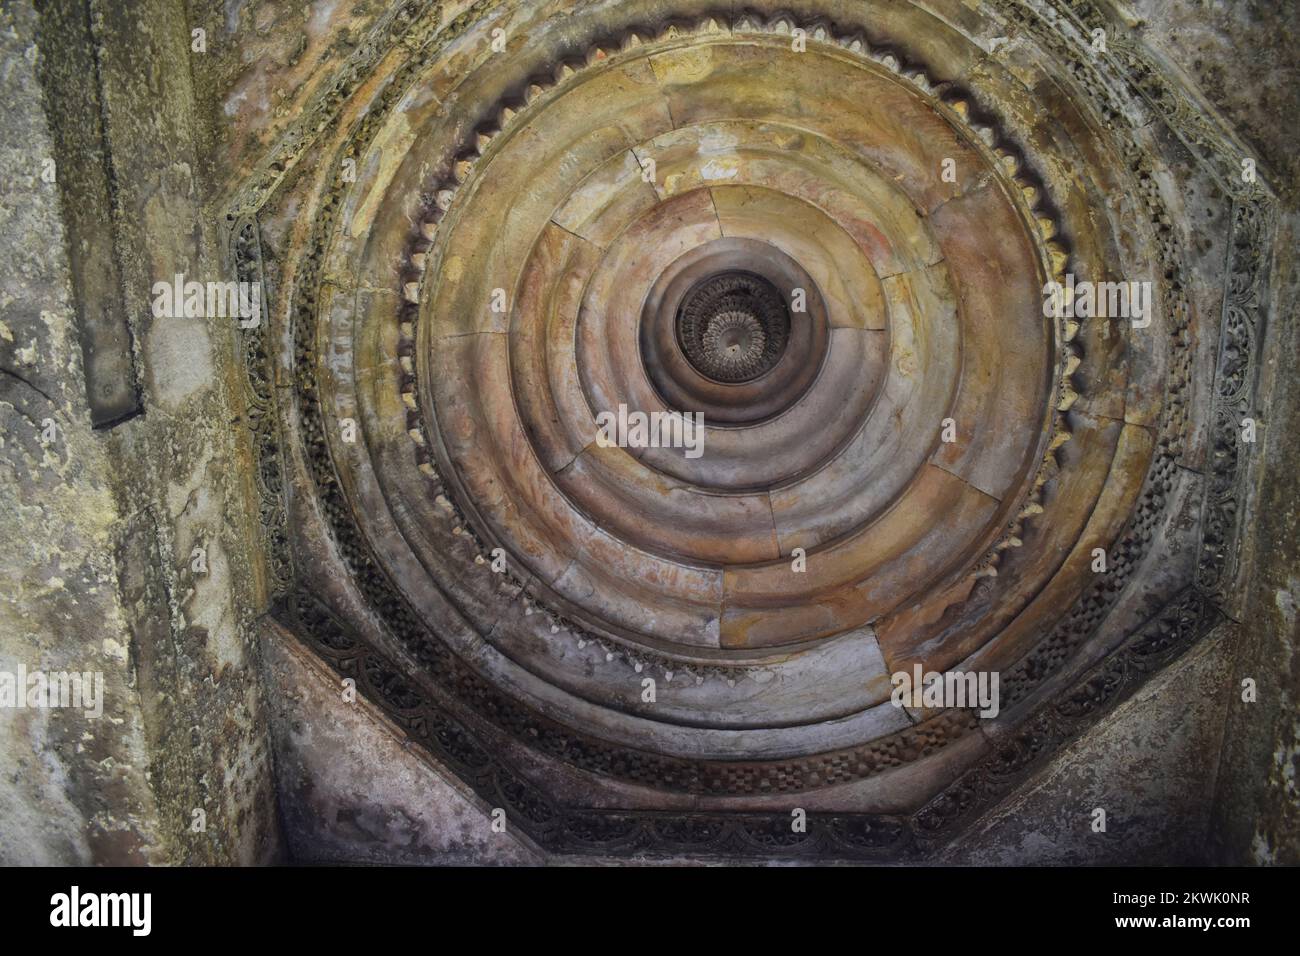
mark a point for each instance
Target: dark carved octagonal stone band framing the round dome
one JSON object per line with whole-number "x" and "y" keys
{"x": 1190, "y": 616}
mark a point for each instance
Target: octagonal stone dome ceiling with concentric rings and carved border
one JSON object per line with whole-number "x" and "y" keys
{"x": 827, "y": 230}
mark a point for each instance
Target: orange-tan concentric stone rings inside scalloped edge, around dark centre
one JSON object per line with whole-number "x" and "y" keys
{"x": 704, "y": 534}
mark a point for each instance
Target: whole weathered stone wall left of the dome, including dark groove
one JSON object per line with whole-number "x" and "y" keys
{"x": 105, "y": 524}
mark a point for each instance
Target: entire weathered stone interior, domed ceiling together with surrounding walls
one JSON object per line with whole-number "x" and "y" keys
{"x": 478, "y": 227}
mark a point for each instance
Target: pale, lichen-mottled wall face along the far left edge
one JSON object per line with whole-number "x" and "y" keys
{"x": 73, "y": 789}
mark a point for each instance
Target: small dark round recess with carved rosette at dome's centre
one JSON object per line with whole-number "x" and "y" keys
{"x": 734, "y": 327}
